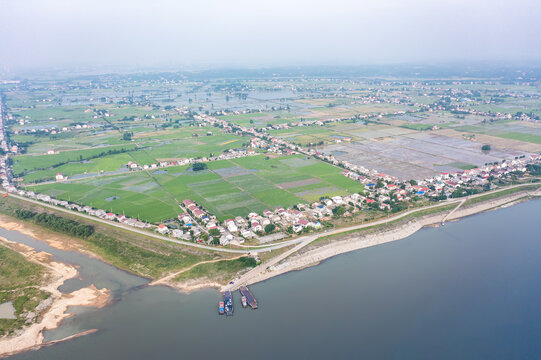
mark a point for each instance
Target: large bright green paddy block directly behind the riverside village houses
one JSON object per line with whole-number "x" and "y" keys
{"x": 228, "y": 188}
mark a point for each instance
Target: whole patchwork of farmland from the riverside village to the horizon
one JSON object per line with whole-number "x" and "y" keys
{"x": 405, "y": 128}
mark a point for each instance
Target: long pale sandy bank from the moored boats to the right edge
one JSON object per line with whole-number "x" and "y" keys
{"x": 312, "y": 255}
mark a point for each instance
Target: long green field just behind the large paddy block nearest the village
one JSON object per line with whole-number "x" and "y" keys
{"x": 153, "y": 147}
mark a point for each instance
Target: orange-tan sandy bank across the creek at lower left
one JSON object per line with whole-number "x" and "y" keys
{"x": 55, "y": 307}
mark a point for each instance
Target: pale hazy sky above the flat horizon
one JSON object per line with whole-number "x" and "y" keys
{"x": 36, "y": 33}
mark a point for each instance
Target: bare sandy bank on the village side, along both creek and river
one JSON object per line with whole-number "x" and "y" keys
{"x": 301, "y": 256}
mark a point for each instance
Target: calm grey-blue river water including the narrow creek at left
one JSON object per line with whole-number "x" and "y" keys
{"x": 468, "y": 290}
